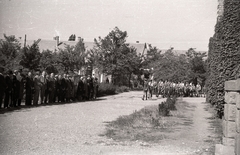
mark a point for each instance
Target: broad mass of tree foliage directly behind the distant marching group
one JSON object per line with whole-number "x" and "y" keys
{"x": 188, "y": 67}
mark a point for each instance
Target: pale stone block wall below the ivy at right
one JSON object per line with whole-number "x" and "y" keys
{"x": 231, "y": 121}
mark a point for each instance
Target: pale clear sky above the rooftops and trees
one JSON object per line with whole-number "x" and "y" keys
{"x": 181, "y": 24}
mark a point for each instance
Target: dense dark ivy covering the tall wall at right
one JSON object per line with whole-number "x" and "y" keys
{"x": 224, "y": 54}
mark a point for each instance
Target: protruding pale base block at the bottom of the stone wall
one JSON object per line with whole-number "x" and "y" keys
{"x": 224, "y": 150}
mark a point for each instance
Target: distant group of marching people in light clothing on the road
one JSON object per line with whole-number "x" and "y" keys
{"x": 170, "y": 89}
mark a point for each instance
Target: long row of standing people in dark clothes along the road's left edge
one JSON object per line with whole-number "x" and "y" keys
{"x": 42, "y": 88}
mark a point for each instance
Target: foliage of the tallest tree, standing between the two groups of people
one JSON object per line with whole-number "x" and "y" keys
{"x": 114, "y": 55}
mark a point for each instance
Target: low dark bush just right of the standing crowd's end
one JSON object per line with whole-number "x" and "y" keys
{"x": 106, "y": 89}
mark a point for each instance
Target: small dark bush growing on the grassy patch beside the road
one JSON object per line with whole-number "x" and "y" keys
{"x": 165, "y": 107}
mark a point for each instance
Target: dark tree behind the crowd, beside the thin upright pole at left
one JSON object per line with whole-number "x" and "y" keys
{"x": 31, "y": 57}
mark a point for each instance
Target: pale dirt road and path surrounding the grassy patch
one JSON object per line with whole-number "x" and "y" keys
{"x": 75, "y": 128}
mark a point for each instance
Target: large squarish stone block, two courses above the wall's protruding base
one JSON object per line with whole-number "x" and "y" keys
{"x": 229, "y": 129}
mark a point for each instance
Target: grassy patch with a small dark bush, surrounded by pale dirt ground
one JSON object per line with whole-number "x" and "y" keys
{"x": 148, "y": 124}
